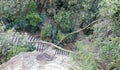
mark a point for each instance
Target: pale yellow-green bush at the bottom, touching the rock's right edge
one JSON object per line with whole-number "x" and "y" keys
{"x": 83, "y": 58}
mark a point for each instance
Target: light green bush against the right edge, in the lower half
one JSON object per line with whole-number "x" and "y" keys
{"x": 111, "y": 53}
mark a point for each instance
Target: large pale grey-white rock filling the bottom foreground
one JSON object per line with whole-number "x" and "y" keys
{"x": 30, "y": 61}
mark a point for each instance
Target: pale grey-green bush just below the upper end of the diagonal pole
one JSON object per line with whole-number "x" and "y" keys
{"x": 103, "y": 30}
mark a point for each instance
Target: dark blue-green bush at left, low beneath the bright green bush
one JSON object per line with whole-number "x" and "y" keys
{"x": 22, "y": 25}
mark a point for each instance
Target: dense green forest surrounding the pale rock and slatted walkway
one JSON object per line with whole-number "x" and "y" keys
{"x": 88, "y": 28}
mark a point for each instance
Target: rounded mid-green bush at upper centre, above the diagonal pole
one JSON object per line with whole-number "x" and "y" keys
{"x": 63, "y": 21}
